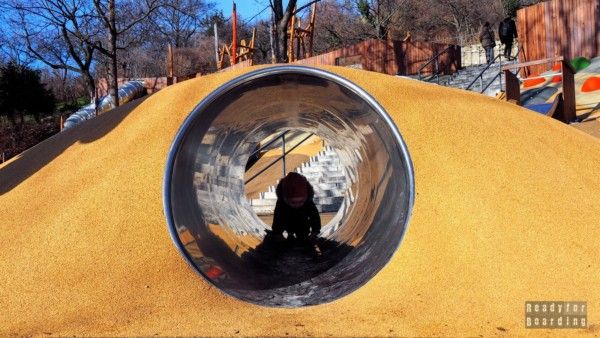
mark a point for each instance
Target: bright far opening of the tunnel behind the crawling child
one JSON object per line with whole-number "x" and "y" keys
{"x": 309, "y": 155}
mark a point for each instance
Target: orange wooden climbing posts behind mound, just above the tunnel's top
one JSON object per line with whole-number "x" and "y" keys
{"x": 300, "y": 39}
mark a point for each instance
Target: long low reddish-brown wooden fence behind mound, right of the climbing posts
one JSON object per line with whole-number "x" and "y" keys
{"x": 390, "y": 57}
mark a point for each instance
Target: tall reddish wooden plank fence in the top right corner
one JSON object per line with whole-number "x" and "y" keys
{"x": 555, "y": 28}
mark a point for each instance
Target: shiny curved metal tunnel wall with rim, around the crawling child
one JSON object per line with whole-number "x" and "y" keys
{"x": 213, "y": 224}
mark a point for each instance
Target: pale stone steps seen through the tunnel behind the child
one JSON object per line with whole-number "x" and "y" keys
{"x": 328, "y": 178}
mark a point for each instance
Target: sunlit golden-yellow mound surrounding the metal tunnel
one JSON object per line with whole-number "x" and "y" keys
{"x": 506, "y": 210}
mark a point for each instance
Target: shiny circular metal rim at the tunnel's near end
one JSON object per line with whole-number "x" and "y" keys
{"x": 222, "y": 90}
